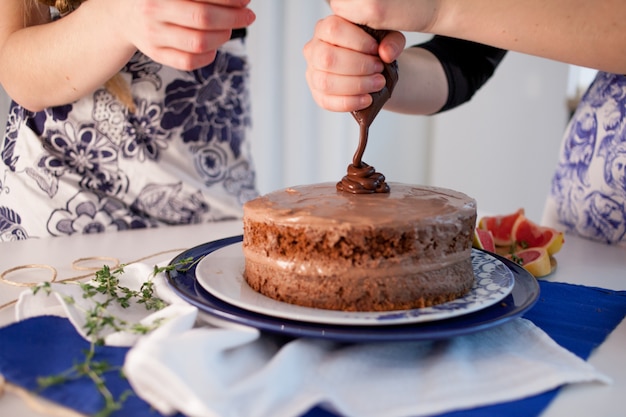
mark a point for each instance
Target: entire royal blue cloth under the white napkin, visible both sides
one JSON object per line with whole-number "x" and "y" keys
{"x": 579, "y": 318}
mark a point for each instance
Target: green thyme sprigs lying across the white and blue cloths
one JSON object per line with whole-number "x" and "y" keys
{"x": 107, "y": 283}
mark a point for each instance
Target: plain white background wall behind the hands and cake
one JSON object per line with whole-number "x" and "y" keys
{"x": 500, "y": 148}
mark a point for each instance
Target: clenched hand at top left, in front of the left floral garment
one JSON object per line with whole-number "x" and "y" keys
{"x": 184, "y": 34}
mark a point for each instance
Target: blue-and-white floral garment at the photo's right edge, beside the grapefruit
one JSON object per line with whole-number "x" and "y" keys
{"x": 588, "y": 193}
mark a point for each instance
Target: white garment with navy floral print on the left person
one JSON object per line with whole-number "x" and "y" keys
{"x": 91, "y": 166}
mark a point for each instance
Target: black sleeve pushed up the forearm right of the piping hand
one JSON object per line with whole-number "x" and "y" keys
{"x": 468, "y": 65}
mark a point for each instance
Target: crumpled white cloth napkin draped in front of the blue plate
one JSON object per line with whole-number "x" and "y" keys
{"x": 203, "y": 370}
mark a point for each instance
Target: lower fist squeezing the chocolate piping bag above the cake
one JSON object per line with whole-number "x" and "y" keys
{"x": 344, "y": 64}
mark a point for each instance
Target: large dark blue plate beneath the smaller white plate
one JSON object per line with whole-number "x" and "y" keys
{"x": 184, "y": 282}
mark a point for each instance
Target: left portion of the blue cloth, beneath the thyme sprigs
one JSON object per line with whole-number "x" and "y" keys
{"x": 47, "y": 345}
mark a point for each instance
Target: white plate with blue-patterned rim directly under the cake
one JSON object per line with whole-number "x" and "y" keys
{"x": 221, "y": 273}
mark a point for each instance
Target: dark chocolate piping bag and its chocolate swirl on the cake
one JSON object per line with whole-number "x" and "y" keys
{"x": 363, "y": 178}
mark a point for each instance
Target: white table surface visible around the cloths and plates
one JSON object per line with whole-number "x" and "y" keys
{"x": 579, "y": 262}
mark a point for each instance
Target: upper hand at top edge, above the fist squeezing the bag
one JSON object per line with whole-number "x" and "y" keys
{"x": 401, "y": 15}
